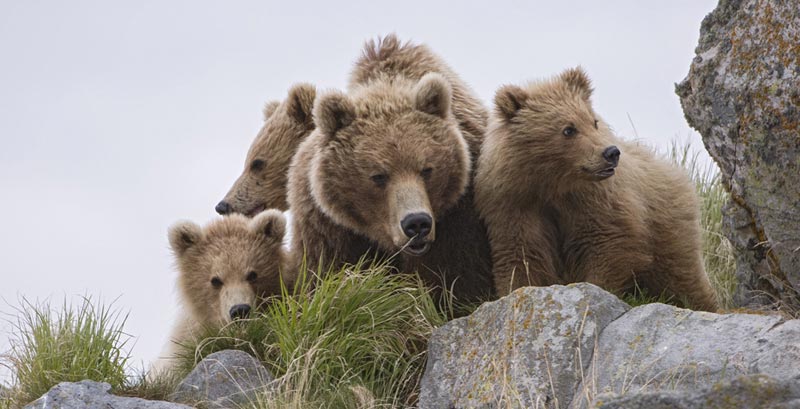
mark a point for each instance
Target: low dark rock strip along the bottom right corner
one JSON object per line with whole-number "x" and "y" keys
{"x": 744, "y": 392}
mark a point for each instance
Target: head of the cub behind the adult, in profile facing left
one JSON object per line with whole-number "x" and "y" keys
{"x": 262, "y": 184}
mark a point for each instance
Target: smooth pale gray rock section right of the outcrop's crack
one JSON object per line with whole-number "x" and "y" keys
{"x": 661, "y": 347}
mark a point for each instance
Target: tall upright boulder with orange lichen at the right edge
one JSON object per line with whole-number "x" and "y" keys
{"x": 743, "y": 95}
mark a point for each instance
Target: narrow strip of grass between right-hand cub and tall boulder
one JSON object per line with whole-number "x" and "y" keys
{"x": 718, "y": 253}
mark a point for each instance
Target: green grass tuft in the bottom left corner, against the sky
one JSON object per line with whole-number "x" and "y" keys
{"x": 79, "y": 341}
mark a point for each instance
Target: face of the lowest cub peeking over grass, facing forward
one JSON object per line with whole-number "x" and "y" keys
{"x": 225, "y": 266}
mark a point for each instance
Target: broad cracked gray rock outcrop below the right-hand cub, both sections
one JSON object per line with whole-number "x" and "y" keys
{"x": 563, "y": 346}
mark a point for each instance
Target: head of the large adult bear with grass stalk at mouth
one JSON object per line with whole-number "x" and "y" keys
{"x": 390, "y": 160}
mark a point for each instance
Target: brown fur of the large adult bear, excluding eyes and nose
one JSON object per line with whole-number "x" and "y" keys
{"x": 406, "y": 112}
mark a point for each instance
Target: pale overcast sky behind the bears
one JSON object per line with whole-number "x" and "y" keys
{"x": 119, "y": 118}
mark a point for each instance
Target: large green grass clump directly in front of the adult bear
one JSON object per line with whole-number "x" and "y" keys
{"x": 357, "y": 339}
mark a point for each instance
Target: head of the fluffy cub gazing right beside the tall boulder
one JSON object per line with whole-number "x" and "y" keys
{"x": 553, "y": 122}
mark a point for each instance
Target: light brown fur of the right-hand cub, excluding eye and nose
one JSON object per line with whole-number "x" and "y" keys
{"x": 552, "y": 219}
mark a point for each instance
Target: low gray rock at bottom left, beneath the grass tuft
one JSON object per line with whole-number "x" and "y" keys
{"x": 93, "y": 395}
